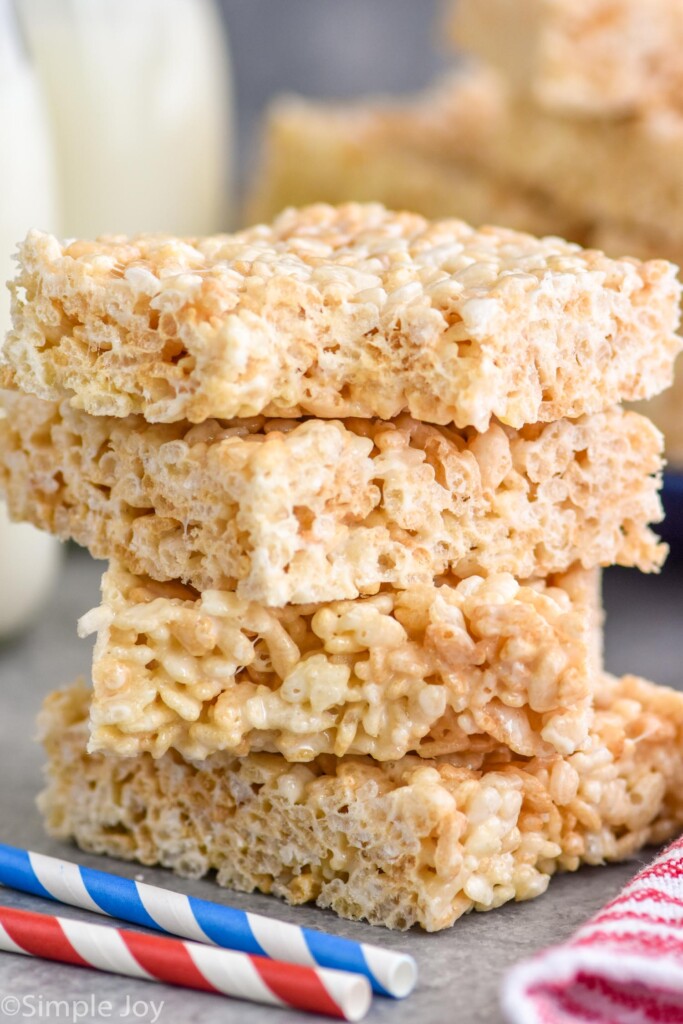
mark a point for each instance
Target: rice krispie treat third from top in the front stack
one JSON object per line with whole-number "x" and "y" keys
{"x": 466, "y": 666}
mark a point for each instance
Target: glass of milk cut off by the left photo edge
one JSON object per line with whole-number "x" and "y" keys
{"x": 28, "y": 559}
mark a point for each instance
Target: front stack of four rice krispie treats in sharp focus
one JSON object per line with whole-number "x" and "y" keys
{"x": 356, "y": 475}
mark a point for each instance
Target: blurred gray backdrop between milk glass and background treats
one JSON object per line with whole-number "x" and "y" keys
{"x": 328, "y": 50}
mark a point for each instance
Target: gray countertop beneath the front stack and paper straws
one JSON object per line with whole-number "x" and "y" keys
{"x": 459, "y": 969}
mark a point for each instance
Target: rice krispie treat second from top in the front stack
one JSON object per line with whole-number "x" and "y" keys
{"x": 288, "y": 513}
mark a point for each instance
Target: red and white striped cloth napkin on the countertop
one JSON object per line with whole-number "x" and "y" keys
{"x": 624, "y": 967}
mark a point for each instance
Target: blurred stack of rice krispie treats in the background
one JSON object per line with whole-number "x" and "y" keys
{"x": 570, "y": 121}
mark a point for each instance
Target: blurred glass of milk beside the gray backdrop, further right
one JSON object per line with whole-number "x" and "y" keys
{"x": 140, "y": 100}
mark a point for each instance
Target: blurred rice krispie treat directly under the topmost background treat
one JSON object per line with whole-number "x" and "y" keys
{"x": 627, "y": 170}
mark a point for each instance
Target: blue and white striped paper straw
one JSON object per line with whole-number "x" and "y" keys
{"x": 390, "y": 973}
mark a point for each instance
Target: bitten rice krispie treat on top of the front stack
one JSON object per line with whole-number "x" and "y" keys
{"x": 346, "y": 311}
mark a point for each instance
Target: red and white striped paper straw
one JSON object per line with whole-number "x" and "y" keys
{"x": 190, "y": 965}
